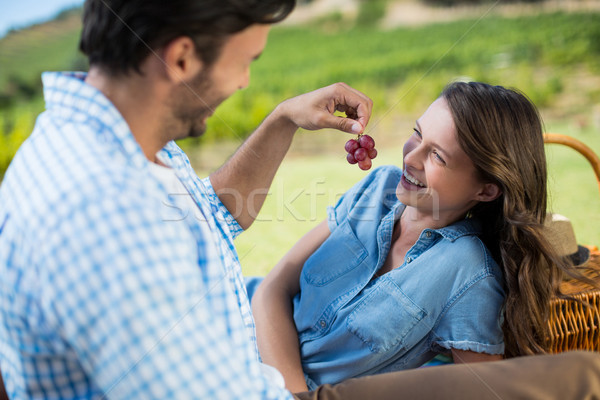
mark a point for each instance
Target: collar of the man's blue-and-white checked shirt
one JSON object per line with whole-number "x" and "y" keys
{"x": 68, "y": 94}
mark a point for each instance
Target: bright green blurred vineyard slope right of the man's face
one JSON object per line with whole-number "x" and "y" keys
{"x": 537, "y": 54}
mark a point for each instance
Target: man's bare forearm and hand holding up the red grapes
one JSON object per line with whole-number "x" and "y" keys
{"x": 250, "y": 171}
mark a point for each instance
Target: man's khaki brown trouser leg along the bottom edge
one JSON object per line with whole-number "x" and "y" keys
{"x": 565, "y": 376}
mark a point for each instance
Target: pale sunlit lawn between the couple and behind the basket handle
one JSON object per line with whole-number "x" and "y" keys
{"x": 307, "y": 183}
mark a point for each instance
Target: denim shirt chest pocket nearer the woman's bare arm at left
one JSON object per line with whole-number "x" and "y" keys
{"x": 339, "y": 254}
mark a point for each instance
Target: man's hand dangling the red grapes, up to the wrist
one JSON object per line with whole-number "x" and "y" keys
{"x": 315, "y": 110}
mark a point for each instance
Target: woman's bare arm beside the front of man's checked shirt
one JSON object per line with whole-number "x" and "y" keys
{"x": 273, "y": 313}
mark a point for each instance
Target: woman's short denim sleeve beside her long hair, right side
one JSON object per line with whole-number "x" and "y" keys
{"x": 473, "y": 320}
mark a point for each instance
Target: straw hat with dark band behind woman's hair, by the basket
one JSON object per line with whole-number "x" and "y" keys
{"x": 559, "y": 232}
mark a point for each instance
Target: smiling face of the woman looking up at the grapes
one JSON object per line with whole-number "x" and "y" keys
{"x": 439, "y": 178}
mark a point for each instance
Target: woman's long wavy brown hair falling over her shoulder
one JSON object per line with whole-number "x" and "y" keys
{"x": 501, "y": 131}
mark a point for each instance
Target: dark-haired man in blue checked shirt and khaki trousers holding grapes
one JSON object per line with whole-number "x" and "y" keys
{"x": 103, "y": 293}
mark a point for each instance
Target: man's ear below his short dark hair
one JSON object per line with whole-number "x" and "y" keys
{"x": 180, "y": 60}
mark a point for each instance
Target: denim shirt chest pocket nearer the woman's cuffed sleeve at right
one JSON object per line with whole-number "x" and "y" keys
{"x": 385, "y": 318}
